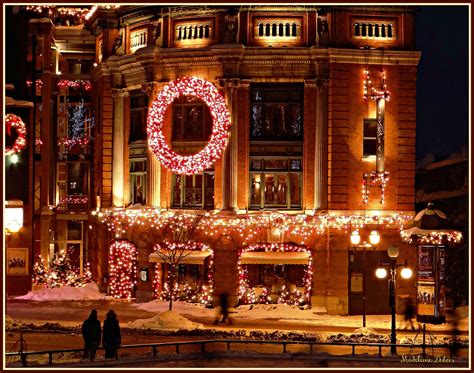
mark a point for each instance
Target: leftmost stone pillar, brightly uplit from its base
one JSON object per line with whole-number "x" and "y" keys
{"x": 118, "y": 149}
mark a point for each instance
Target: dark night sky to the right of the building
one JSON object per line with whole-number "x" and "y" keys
{"x": 442, "y": 85}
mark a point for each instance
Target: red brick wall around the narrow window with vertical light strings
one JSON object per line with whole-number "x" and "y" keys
{"x": 346, "y": 112}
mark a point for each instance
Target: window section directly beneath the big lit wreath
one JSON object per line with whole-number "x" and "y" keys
{"x": 194, "y": 191}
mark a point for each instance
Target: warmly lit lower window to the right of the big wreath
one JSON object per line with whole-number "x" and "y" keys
{"x": 277, "y": 184}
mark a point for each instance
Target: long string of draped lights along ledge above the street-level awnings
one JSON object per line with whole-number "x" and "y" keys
{"x": 247, "y": 227}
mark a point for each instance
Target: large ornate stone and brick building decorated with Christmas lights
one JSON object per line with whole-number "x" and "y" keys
{"x": 322, "y": 108}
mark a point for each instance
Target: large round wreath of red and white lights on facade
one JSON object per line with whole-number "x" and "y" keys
{"x": 198, "y": 162}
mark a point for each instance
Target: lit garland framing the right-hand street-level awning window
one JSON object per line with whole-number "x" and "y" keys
{"x": 247, "y": 294}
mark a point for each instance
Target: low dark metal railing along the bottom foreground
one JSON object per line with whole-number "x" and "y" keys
{"x": 203, "y": 343}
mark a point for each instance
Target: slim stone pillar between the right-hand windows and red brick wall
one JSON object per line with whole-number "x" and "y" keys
{"x": 321, "y": 160}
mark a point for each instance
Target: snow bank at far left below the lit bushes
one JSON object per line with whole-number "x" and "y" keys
{"x": 88, "y": 292}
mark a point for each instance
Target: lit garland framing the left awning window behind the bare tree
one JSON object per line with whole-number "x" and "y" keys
{"x": 202, "y": 295}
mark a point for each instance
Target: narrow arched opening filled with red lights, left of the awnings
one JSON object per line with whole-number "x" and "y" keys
{"x": 122, "y": 269}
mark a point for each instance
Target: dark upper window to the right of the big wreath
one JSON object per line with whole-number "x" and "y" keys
{"x": 276, "y": 112}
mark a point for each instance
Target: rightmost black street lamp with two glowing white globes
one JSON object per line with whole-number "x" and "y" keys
{"x": 381, "y": 273}
